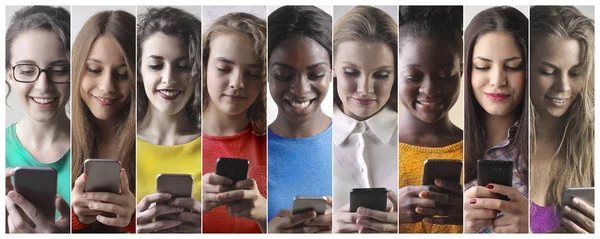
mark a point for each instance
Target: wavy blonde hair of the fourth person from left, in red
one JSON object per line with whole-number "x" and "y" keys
{"x": 255, "y": 29}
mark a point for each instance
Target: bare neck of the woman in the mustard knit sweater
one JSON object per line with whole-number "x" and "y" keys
{"x": 413, "y": 126}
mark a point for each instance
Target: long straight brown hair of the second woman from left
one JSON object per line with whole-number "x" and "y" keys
{"x": 120, "y": 26}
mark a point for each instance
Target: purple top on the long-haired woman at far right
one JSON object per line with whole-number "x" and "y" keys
{"x": 544, "y": 219}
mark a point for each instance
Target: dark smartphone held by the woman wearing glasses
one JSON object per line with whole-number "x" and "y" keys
{"x": 38, "y": 186}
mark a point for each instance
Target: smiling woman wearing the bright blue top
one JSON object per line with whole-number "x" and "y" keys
{"x": 299, "y": 51}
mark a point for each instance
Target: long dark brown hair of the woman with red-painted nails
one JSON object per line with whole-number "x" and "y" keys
{"x": 497, "y": 19}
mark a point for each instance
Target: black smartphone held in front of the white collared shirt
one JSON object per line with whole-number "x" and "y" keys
{"x": 372, "y": 198}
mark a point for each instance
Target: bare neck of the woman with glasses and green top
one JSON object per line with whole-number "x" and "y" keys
{"x": 44, "y": 133}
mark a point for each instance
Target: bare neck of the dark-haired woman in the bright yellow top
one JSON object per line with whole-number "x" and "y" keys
{"x": 165, "y": 128}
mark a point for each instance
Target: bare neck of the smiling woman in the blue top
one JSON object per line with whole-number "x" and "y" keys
{"x": 289, "y": 128}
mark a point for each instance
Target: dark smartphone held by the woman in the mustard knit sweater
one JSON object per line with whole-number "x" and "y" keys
{"x": 445, "y": 169}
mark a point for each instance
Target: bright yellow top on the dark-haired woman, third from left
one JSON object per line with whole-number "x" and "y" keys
{"x": 153, "y": 160}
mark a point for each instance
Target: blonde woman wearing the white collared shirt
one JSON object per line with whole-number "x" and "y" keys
{"x": 365, "y": 116}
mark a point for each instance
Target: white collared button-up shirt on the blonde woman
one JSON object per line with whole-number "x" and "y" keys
{"x": 365, "y": 153}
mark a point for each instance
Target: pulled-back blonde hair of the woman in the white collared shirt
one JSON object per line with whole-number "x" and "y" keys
{"x": 365, "y": 23}
